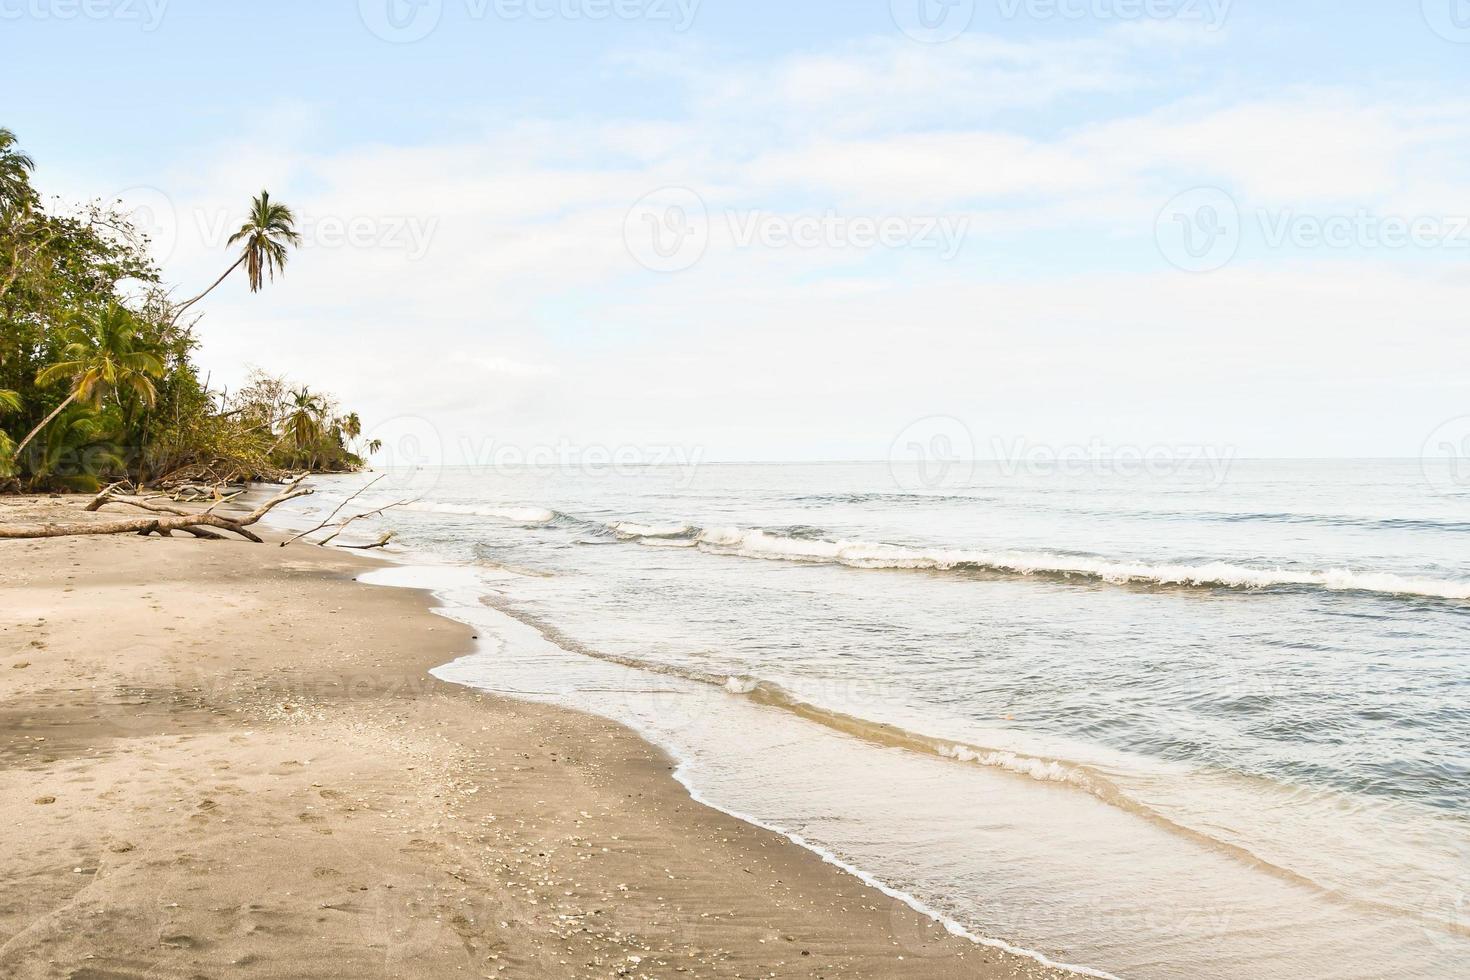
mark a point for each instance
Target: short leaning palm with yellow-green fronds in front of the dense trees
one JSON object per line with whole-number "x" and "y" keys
{"x": 102, "y": 358}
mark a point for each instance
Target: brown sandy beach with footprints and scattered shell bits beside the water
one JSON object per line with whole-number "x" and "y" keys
{"x": 227, "y": 760}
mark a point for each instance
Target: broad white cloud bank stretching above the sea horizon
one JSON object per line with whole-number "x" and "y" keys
{"x": 528, "y": 318}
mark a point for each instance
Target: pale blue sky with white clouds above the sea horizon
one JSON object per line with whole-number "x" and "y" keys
{"x": 759, "y": 230}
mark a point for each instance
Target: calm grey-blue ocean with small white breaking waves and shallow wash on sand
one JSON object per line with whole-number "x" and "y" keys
{"x": 1180, "y": 719}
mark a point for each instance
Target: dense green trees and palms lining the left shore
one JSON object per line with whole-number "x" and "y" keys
{"x": 98, "y": 375}
